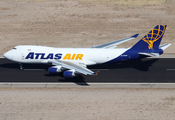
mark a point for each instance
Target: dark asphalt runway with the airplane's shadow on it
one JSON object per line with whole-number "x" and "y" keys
{"x": 149, "y": 70}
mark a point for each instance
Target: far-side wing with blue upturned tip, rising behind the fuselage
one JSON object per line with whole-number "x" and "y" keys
{"x": 115, "y": 43}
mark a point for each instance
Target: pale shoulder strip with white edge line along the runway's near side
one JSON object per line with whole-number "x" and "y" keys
{"x": 89, "y": 85}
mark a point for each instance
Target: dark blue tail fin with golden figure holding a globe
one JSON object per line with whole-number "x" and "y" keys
{"x": 151, "y": 41}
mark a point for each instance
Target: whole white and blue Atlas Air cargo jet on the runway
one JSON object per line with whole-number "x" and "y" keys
{"x": 74, "y": 61}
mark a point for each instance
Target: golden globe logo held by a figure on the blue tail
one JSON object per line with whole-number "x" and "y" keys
{"x": 154, "y": 35}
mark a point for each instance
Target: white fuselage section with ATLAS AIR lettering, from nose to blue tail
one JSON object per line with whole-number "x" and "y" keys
{"x": 42, "y": 54}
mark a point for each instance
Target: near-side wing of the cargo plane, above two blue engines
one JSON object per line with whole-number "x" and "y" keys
{"x": 73, "y": 66}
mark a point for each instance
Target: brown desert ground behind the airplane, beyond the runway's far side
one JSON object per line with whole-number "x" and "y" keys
{"x": 82, "y": 23}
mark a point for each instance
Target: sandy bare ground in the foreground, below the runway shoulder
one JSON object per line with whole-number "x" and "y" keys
{"x": 86, "y": 104}
